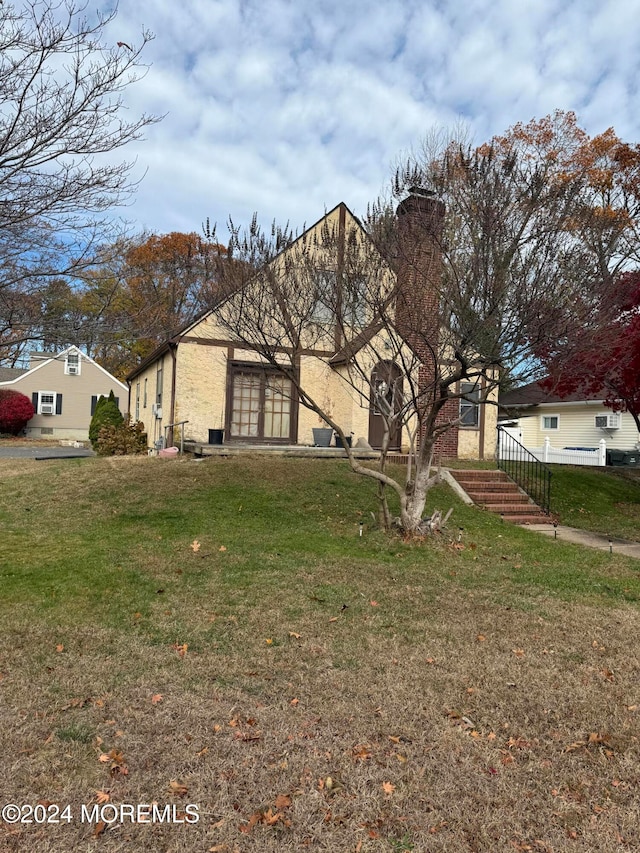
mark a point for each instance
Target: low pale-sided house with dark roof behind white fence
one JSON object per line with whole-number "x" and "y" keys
{"x": 572, "y": 421}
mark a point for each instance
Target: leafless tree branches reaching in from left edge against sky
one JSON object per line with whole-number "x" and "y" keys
{"x": 61, "y": 117}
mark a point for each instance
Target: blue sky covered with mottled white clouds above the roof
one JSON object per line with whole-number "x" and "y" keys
{"x": 286, "y": 107}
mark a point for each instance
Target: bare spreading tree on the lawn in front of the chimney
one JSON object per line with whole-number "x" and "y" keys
{"x": 425, "y": 310}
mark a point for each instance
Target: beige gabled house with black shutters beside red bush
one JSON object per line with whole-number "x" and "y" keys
{"x": 64, "y": 388}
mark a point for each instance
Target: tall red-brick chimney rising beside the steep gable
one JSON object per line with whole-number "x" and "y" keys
{"x": 420, "y": 220}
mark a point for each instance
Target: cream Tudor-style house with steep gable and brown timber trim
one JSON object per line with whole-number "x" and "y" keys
{"x": 206, "y": 378}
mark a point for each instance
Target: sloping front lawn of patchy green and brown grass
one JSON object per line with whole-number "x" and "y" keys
{"x": 453, "y": 705}
